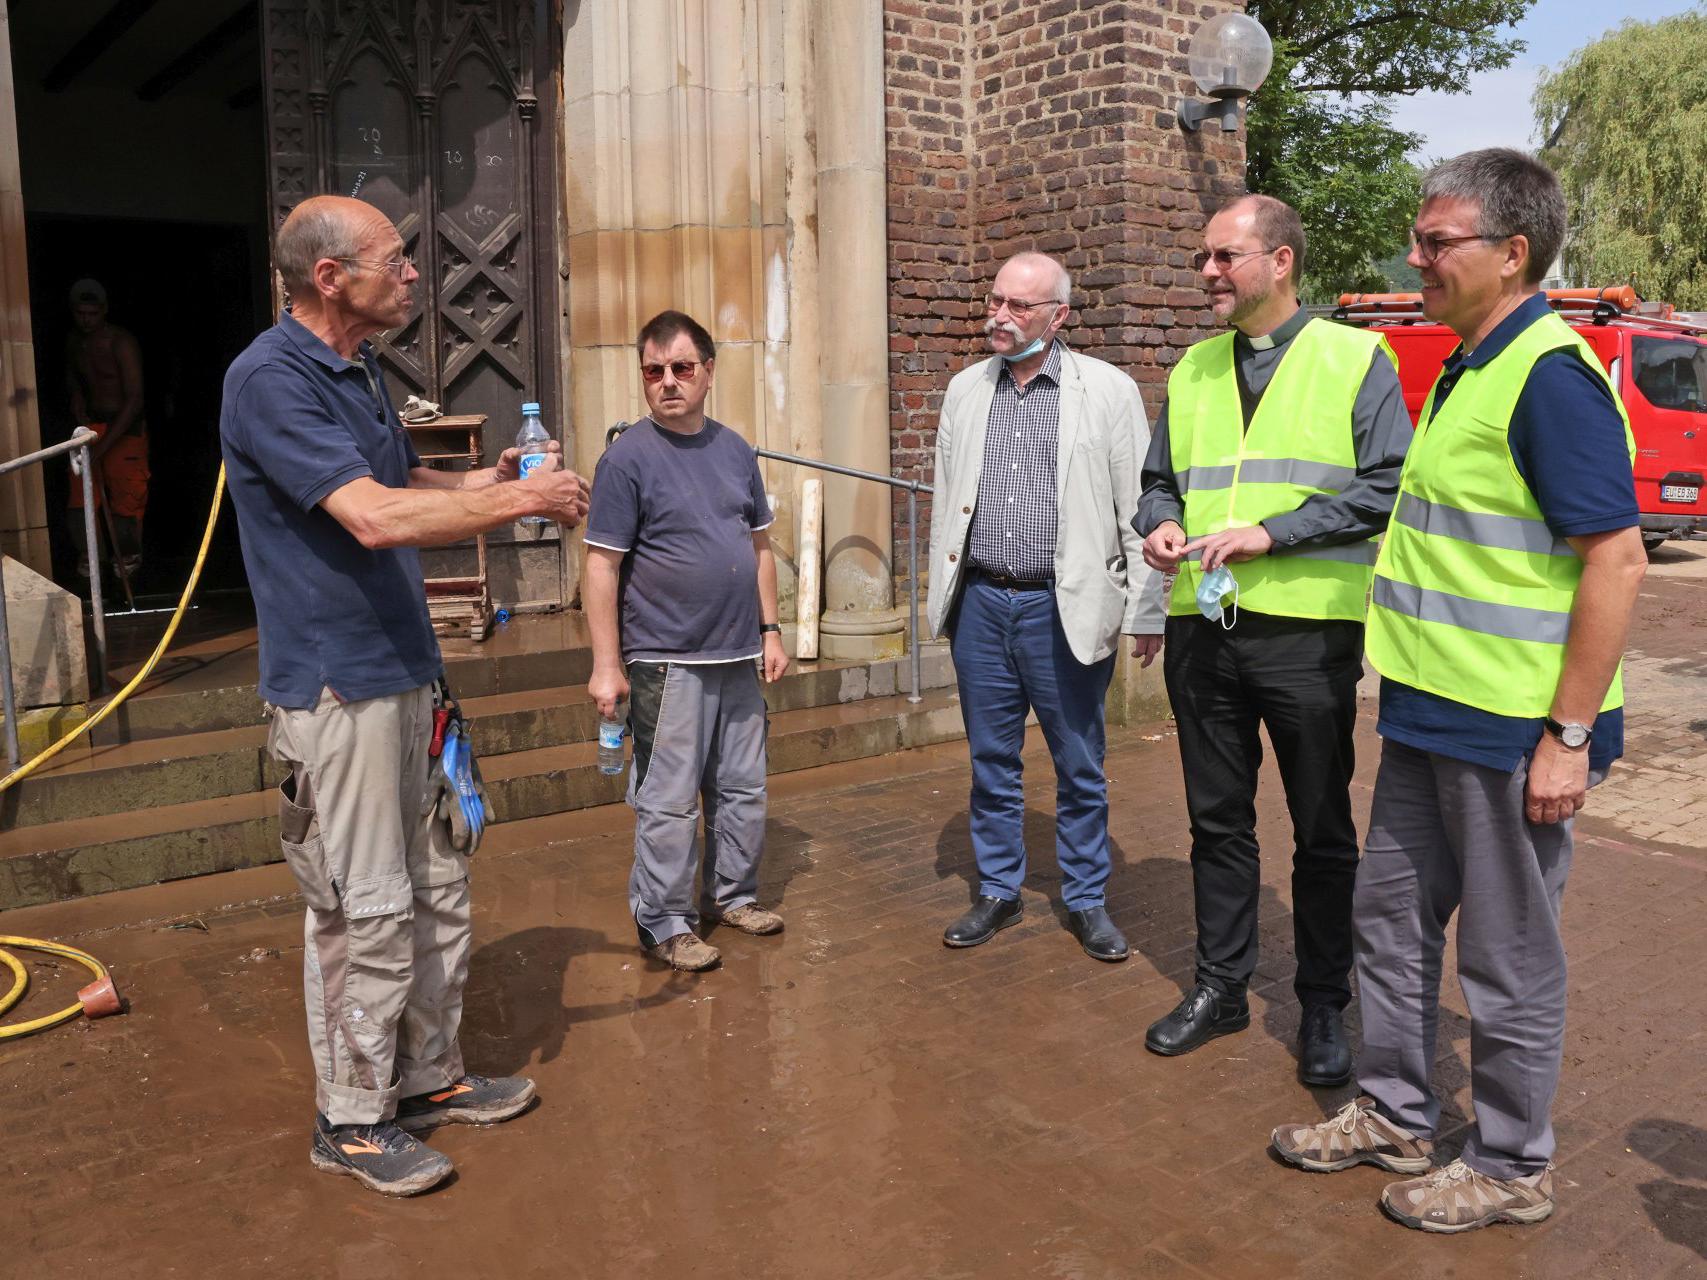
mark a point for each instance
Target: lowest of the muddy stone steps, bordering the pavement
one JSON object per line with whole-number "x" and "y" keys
{"x": 98, "y": 854}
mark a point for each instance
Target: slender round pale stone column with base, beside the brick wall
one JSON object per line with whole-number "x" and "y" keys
{"x": 859, "y": 619}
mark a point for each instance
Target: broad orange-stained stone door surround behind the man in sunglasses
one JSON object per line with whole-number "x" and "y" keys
{"x": 679, "y": 197}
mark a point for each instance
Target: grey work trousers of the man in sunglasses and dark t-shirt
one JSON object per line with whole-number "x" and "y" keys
{"x": 699, "y": 733}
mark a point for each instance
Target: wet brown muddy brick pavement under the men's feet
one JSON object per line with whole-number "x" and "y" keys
{"x": 854, "y": 1100}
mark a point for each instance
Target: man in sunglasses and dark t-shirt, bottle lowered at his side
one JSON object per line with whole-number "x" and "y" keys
{"x": 682, "y": 598}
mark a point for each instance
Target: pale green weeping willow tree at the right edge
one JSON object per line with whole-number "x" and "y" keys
{"x": 1626, "y": 122}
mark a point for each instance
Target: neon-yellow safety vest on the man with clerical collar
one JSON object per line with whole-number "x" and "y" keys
{"x": 1300, "y": 445}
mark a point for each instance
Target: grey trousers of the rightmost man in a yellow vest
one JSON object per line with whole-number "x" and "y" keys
{"x": 1448, "y": 835}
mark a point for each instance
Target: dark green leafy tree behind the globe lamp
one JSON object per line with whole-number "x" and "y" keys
{"x": 1320, "y": 137}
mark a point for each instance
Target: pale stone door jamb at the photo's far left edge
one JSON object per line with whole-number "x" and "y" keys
{"x": 23, "y": 501}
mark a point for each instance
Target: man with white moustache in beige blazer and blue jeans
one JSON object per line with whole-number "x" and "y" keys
{"x": 1035, "y": 574}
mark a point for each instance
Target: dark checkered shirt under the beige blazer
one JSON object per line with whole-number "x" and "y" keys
{"x": 1013, "y": 528}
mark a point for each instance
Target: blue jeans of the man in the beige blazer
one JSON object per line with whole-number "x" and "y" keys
{"x": 1010, "y": 656}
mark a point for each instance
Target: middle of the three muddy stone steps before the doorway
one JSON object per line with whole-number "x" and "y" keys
{"x": 93, "y": 781}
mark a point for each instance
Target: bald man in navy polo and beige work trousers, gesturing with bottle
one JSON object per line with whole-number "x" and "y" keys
{"x": 332, "y": 506}
